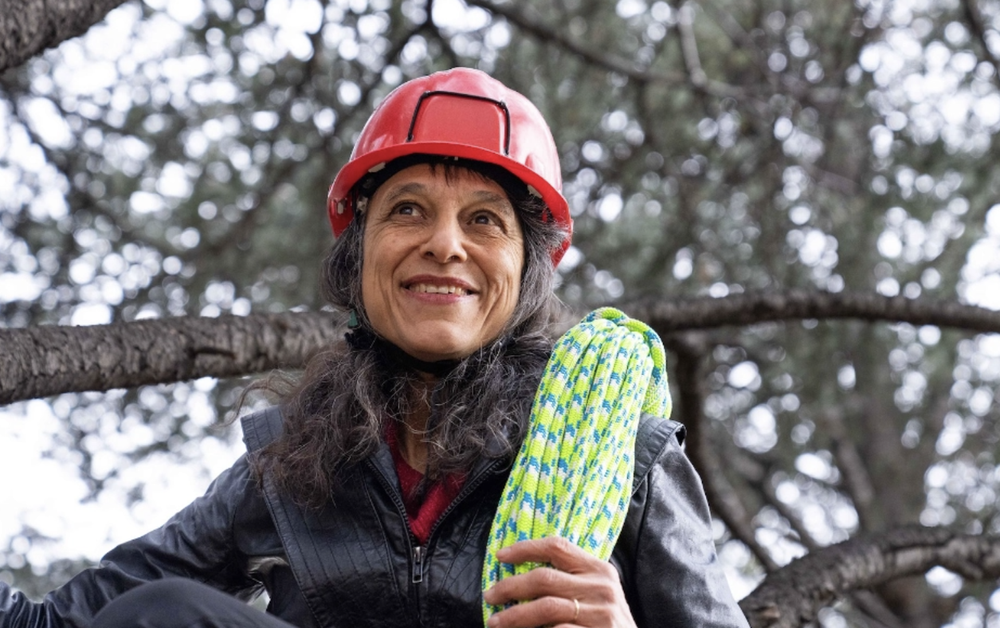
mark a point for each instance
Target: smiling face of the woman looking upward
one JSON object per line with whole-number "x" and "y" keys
{"x": 442, "y": 263}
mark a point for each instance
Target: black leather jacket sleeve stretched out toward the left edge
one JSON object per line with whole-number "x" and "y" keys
{"x": 196, "y": 543}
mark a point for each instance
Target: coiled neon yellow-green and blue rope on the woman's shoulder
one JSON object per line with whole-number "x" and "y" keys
{"x": 573, "y": 475}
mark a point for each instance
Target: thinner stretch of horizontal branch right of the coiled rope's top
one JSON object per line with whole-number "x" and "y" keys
{"x": 752, "y": 308}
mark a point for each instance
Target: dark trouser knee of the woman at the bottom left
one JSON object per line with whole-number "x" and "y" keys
{"x": 180, "y": 603}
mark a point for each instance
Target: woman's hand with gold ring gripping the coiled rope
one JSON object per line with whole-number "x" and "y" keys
{"x": 577, "y": 590}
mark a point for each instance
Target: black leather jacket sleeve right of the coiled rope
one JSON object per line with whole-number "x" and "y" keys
{"x": 666, "y": 552}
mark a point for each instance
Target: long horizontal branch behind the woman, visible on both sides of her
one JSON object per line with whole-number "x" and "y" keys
{"x": 48, "y": 360}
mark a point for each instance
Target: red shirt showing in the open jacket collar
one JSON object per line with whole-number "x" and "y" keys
{"x": 423, "y": 508}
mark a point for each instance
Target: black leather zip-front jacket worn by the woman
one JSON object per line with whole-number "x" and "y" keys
{"x": 354, "y": 563}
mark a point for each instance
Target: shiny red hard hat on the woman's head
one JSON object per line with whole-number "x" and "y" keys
{"x": 458, "y": 113}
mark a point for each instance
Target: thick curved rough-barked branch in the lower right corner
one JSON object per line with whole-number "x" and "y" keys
{"x": 791, "y": 596}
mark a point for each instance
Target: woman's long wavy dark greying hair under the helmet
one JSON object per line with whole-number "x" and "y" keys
{"x": 350, "y": 393}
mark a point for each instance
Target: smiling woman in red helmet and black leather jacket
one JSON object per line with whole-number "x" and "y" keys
{"x": 367, "y": 497}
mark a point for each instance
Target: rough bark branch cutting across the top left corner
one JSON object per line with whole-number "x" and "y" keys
{"x": 27, "y": 27}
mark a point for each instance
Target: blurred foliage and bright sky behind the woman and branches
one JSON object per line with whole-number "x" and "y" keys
{"x": 175, "y": 159}
